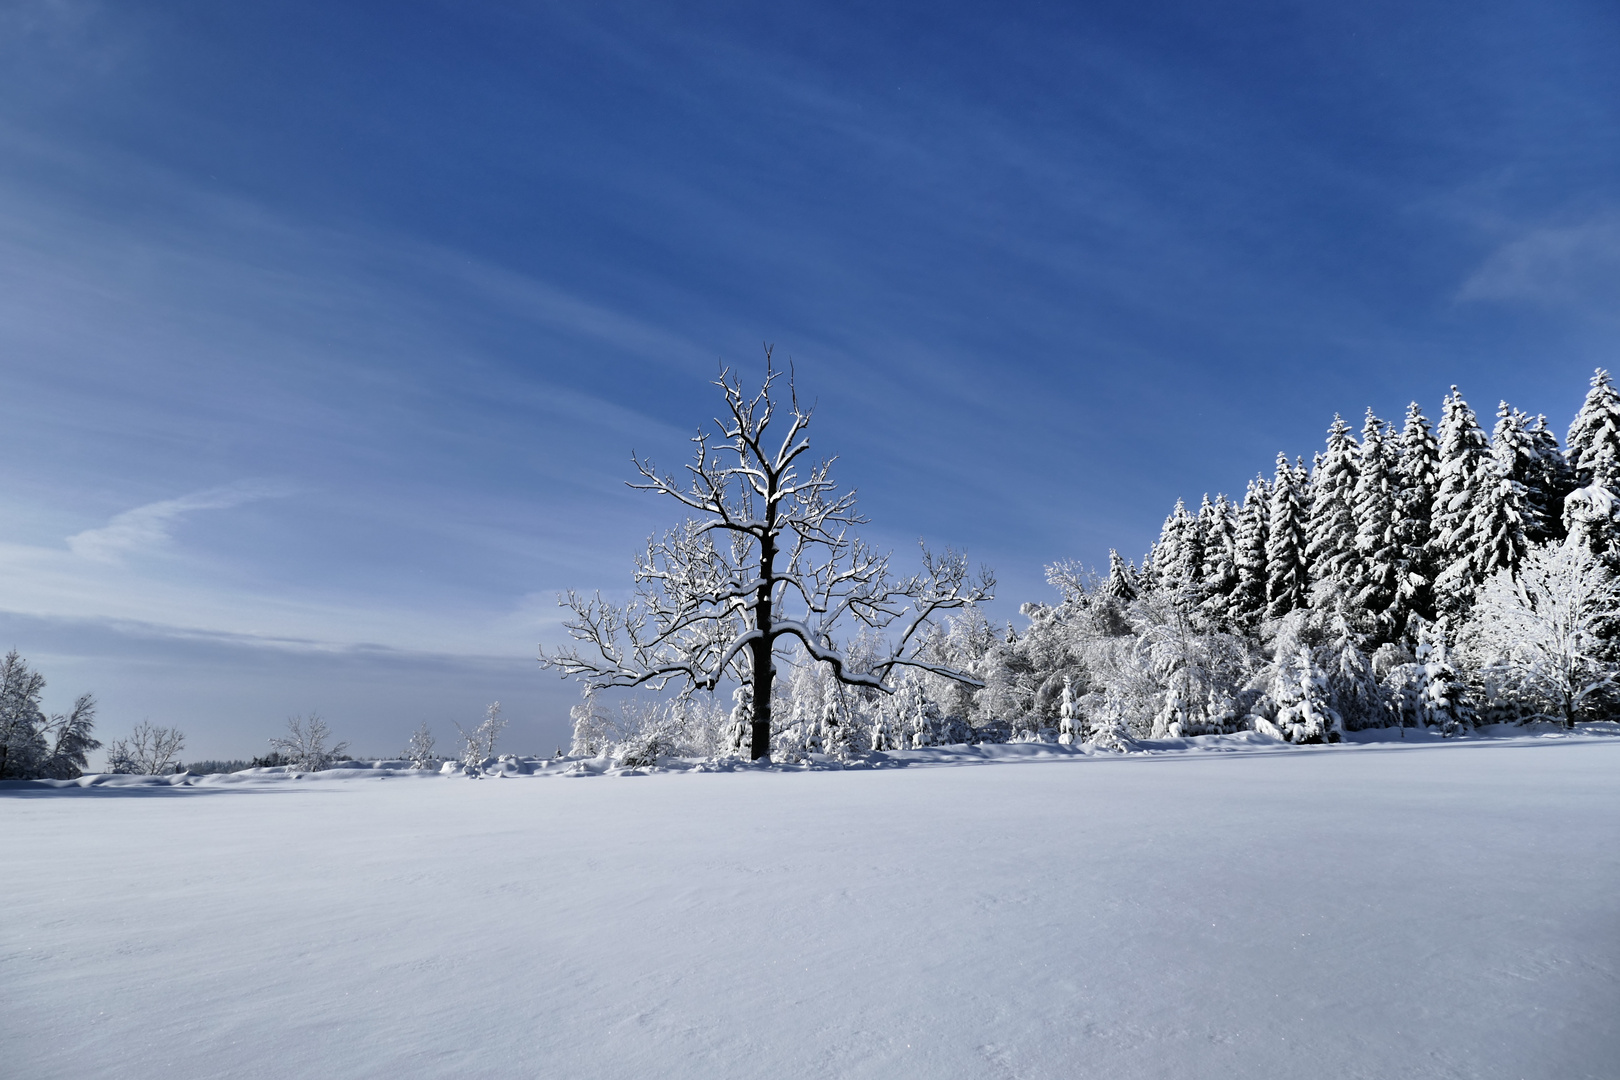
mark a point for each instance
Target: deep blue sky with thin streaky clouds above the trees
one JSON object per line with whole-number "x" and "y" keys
{"x": 326, "y": 331}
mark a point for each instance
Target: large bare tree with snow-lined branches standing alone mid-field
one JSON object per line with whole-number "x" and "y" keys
{"x": 787, "y": 569}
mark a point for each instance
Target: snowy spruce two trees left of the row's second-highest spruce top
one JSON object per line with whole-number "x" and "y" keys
{"x": 1381, "y": 564}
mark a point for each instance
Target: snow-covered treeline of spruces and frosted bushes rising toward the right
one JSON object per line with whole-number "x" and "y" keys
{"x": 1415, "y": 576}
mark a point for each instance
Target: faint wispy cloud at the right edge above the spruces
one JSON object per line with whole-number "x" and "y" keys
{"x": 1567, "y": 268}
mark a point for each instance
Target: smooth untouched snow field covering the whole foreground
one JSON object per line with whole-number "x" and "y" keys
{"x": 1425, "y": 911}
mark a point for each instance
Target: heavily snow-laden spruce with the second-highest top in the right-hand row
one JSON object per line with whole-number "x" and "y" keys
{"x": 1469, "y": 482}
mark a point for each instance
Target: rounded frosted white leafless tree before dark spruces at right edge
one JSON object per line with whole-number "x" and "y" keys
{"x": 1543, "y": 631}
